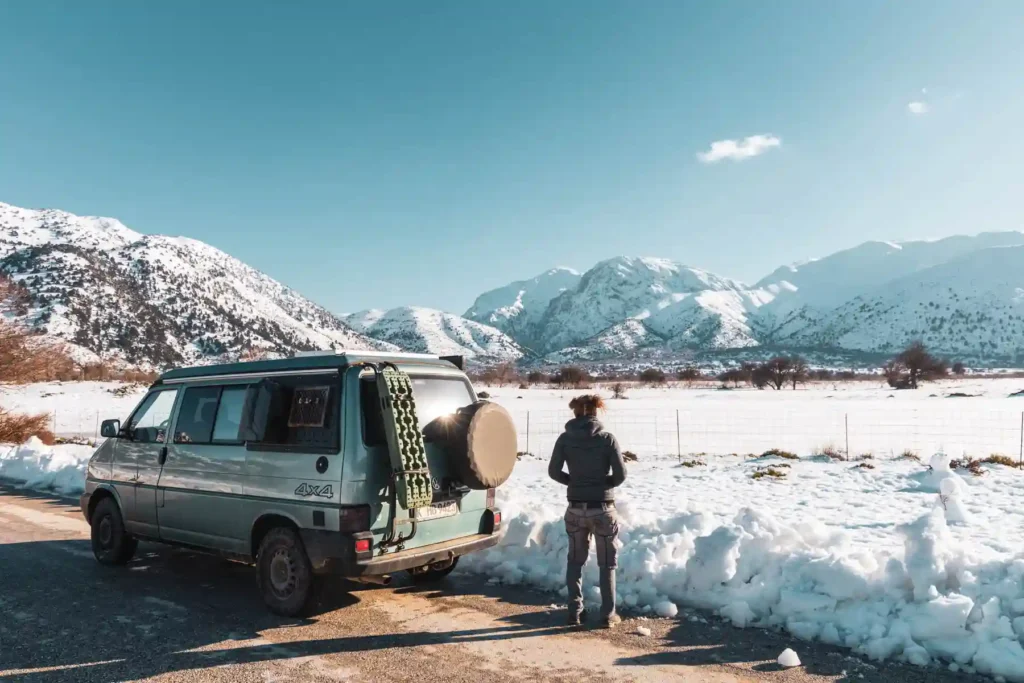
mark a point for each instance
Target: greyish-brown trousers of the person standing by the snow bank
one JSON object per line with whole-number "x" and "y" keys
{"x": 581, "y": 525}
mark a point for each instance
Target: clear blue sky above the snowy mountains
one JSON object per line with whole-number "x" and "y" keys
{"x": 481, "y": 143}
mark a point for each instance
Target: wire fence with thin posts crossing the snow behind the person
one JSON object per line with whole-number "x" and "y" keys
{"x": 881, "y": 433}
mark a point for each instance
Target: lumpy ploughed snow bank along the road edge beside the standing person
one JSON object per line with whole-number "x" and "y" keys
{"x": 927, "y": 599}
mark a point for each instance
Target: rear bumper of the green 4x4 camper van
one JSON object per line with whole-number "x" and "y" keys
{"x": 333, "y": 553}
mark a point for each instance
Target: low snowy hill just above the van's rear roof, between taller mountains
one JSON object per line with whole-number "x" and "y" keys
{"x": 431, "y": 331}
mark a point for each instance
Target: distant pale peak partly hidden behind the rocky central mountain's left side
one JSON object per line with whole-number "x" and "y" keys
{"x": 518, "y": 309}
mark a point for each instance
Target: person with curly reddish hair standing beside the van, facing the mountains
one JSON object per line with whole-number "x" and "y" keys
{"x": 596, "y": 468}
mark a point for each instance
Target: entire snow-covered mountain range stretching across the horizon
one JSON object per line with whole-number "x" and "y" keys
{"x": 144, "y": 300}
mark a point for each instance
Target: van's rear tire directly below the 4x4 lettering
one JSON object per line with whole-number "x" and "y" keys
{"x": 286, "y": 577}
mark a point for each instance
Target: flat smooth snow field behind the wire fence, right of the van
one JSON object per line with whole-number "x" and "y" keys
{"x": 867, "y": 417}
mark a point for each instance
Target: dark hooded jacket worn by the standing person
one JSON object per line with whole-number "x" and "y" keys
{"x": 595, "y": 463}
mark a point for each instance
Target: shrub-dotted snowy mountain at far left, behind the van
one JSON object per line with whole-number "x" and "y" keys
{"x": 113, "y": 293}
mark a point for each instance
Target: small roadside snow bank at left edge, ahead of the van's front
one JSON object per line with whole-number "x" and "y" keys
{"x": 35, "y": 465}
